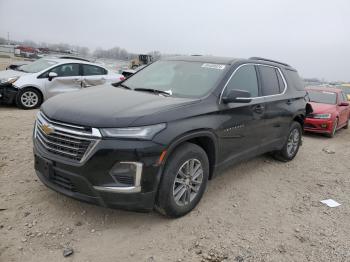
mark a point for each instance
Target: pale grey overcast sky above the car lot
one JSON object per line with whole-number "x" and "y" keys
{"x": 311, "y": 35}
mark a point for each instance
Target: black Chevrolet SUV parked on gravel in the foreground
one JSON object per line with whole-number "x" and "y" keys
{"x": 155, "y": 139}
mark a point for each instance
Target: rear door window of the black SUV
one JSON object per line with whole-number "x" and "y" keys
{"x": 269, "y": 80}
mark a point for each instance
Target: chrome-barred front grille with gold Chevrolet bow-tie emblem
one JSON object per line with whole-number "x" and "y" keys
{"x": 65, "y": 140}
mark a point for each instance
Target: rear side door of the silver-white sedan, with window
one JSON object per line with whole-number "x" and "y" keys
{"x": 93, "y": 75}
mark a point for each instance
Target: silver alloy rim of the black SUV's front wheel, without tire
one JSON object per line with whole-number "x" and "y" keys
{"x": 187, "y": 182}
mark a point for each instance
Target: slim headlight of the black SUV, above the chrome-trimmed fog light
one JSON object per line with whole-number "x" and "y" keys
{"x": 141, "y": 132}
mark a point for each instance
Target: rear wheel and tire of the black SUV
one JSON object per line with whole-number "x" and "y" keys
{"x": 292, "y": 144}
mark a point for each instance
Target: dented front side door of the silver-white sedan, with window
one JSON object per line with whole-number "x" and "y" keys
{"x": 68, "y": 80}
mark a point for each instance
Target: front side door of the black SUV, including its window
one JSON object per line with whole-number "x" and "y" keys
{"x": 241, "y": 133}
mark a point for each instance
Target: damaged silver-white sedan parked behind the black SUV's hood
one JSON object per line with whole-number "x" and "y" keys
{"x": 29, "y": 85}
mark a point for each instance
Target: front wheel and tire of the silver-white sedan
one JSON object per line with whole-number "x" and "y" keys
{"x": 29, "y": 98}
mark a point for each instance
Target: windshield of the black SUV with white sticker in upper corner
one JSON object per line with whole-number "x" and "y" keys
{"x": 178, "y": 78}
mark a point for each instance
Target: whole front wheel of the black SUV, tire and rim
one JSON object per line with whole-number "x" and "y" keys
{"x": 177, "y": 198}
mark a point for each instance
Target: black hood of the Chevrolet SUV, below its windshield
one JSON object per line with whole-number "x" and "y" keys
{"x": 108, "y": 106}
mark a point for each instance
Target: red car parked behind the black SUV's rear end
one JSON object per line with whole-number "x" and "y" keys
{"x": 331, "y": 110}
